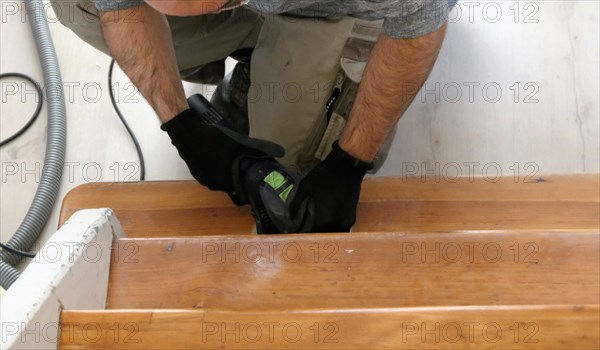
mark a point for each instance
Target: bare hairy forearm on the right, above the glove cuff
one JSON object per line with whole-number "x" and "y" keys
{"x": 396, "y": 71}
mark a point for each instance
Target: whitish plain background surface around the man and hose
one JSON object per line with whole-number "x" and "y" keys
{"x": 557, "y": 56}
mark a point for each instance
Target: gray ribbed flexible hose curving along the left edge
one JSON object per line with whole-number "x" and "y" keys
{"x": 47, "y": 191}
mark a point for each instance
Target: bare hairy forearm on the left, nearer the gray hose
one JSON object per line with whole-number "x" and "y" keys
{"x": 140, "y": 41}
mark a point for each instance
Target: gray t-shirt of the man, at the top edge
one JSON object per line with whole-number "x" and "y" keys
{"x": 402, "y": 18}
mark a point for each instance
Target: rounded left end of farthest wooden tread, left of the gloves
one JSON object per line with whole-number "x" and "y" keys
{"x": 155, "y": 208}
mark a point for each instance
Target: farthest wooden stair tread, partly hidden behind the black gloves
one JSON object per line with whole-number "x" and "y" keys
{"x": 184, "y": 208}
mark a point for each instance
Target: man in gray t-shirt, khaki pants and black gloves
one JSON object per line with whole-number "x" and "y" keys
{"x": 318, "y": 70}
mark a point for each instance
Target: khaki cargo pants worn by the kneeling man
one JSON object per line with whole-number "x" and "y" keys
{"x": 304, "y": 71}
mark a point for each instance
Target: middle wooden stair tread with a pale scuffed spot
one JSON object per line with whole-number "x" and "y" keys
{"x": 357, "y": 270}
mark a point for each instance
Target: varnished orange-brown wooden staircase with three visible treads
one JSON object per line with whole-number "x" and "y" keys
{"x": 467, "y": 264}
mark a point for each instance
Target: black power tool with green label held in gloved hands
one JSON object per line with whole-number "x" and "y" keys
{"x": 266, "y": 183}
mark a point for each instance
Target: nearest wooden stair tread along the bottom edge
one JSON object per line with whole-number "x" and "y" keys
{"x": 482, "y": 327}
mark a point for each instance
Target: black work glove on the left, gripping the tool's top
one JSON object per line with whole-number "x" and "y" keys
{"x": 213, "y": 152}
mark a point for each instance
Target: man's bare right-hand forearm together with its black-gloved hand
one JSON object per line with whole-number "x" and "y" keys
{"x": 328, "y": 195}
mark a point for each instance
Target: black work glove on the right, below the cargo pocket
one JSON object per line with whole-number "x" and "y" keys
{"x": 327, "y": 195}
